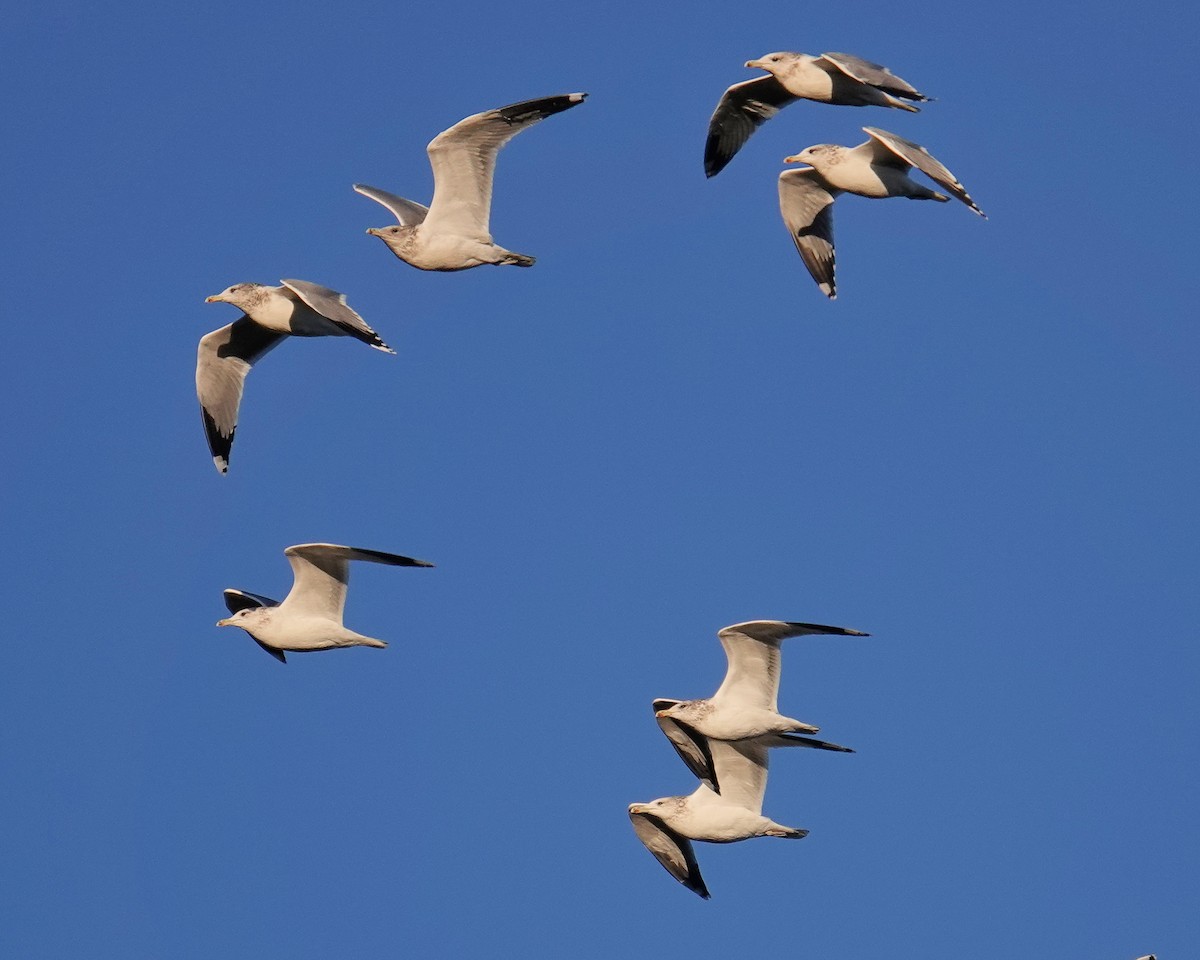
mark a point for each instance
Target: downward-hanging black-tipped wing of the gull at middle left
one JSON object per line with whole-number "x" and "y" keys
{"x": 224, "y": 359}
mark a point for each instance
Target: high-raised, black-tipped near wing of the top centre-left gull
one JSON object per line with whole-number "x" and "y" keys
{"x": 464, "y": 160}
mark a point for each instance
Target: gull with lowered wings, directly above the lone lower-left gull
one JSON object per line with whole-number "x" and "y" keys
{"x": 297, "y": 309}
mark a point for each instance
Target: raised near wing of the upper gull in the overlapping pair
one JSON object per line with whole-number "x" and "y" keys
{"x": 753, "y": 652}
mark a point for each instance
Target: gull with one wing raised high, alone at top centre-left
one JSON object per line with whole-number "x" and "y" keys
{"x": 453, "y": 232}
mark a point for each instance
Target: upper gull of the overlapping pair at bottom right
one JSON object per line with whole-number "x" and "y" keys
{"x": 746, "y": 705}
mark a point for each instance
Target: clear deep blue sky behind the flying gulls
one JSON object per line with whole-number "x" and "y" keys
{"x": 985, "y": 454}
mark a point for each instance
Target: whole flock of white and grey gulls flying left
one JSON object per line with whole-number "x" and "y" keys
{"x": 724, "y": 740}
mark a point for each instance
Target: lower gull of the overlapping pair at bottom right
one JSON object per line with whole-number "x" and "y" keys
{"x": 667, "y": 826}
